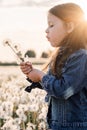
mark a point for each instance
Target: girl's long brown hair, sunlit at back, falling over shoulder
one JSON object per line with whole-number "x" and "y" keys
{"x": 77, "y": 39}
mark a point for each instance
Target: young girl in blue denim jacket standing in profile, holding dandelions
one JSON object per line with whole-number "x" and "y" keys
{"x": 66, "y": 80}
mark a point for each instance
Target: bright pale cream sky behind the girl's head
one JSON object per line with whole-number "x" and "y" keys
{"x": 25, "y": 26}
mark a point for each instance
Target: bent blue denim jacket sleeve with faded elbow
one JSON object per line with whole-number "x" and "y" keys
{"x": 72, "y": 78}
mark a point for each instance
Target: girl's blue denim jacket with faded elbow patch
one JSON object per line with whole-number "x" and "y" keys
{"x": 68, "y": 95}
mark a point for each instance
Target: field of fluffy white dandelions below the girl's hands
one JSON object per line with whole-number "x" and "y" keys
{"x": 20, "y": 110}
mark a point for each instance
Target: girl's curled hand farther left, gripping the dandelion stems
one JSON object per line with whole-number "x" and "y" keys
{"x": 26, "y": 67}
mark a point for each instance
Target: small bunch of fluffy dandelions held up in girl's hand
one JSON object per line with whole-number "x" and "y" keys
{"x": 16, "y": 49}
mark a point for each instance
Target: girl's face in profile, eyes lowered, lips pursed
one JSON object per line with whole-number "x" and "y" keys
{"x": 56, "y": 30}
